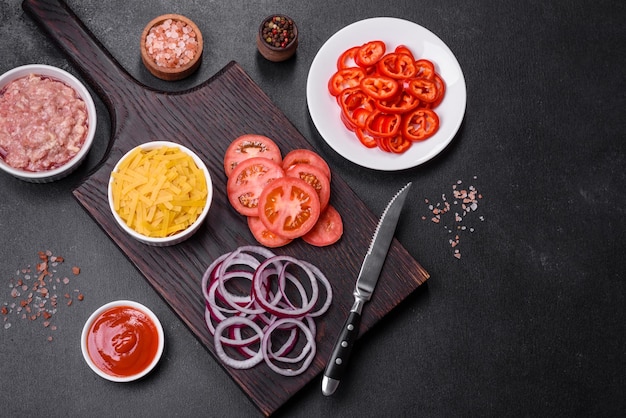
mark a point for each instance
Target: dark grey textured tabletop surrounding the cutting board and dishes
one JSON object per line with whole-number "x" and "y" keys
{"x": 530, "y": 321}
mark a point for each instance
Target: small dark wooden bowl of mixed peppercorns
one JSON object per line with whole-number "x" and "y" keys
{"x": 277, "y": 39}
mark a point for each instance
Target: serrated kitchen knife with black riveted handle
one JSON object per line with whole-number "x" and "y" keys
{"x": 365, "y": 284}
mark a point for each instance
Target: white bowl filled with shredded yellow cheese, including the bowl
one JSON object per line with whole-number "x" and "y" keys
{"x": 160, "y": 193}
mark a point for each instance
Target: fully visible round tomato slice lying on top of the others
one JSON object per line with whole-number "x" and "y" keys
{"x": 289, "y": 207}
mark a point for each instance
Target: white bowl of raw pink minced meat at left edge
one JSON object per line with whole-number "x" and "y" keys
{"x": 47, "y": 123}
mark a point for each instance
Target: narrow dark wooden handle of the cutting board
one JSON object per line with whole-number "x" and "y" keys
{"x": 95, "y": 64}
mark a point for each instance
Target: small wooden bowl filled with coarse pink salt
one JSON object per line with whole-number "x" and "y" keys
{"x": 171, "y": 47}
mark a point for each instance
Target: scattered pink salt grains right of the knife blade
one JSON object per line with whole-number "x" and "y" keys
{"x": 456, "y": 215}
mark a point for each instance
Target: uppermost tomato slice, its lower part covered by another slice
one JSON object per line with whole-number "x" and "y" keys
{"x": 249, "y": 146}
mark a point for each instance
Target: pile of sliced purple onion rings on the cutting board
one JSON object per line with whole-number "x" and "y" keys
{"x": 269, "y": 306}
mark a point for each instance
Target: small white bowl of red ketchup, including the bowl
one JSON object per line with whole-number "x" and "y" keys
{"x": 122, "y": 341}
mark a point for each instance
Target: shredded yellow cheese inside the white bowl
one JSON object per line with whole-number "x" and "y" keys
{"x": 159, "y": 192}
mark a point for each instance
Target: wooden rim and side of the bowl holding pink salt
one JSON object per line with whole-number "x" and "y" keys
{"x": 167, "y": 73}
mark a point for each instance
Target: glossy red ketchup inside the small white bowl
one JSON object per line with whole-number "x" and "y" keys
{"x": 122, "y": 341}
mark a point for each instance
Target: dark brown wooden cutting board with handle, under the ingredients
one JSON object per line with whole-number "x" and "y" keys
{"x": 206, "y": 119}
